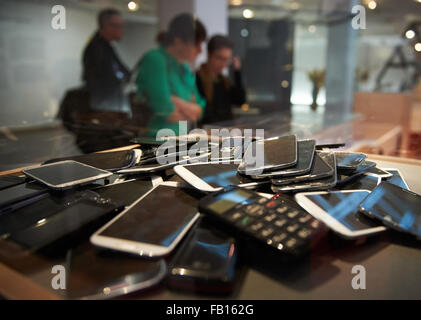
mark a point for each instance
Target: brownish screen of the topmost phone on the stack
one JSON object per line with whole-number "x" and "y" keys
{"x": 278, "y": 152}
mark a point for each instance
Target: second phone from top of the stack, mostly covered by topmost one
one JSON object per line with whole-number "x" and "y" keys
{"x": 306, "y": 150}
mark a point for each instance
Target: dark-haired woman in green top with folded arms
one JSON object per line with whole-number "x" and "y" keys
{"x": 165, "y": 81}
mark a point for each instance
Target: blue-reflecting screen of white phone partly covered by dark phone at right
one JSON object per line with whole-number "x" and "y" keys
{"x": 344, "y": 208}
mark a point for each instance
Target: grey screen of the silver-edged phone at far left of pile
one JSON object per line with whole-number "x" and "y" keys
{"x": 64, "y": 172}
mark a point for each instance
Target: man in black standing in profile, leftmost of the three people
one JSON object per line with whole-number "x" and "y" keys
{"x": 103, "y": 72}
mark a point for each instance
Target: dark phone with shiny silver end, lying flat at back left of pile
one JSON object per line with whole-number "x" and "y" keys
{"x": 111, "y": 161}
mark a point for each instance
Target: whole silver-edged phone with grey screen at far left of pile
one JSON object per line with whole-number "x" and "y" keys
{"x": 65, "y": 174}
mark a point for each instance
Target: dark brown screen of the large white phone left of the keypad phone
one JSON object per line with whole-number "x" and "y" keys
{"x": 156, "y": 219}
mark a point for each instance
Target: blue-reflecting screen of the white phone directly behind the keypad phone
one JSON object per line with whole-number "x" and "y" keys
{"x": 218, "y": 175}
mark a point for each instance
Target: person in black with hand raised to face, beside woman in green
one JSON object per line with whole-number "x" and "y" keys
{"x": 219, "y": 91}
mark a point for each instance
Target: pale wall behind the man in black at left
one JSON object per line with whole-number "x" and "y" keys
{"x": 39, "y": 63}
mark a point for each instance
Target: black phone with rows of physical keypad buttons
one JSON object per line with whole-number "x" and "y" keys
{"x": 277, "y": 223}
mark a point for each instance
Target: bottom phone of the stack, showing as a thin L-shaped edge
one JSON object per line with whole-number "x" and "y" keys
{"x": 320, "y": 184}
